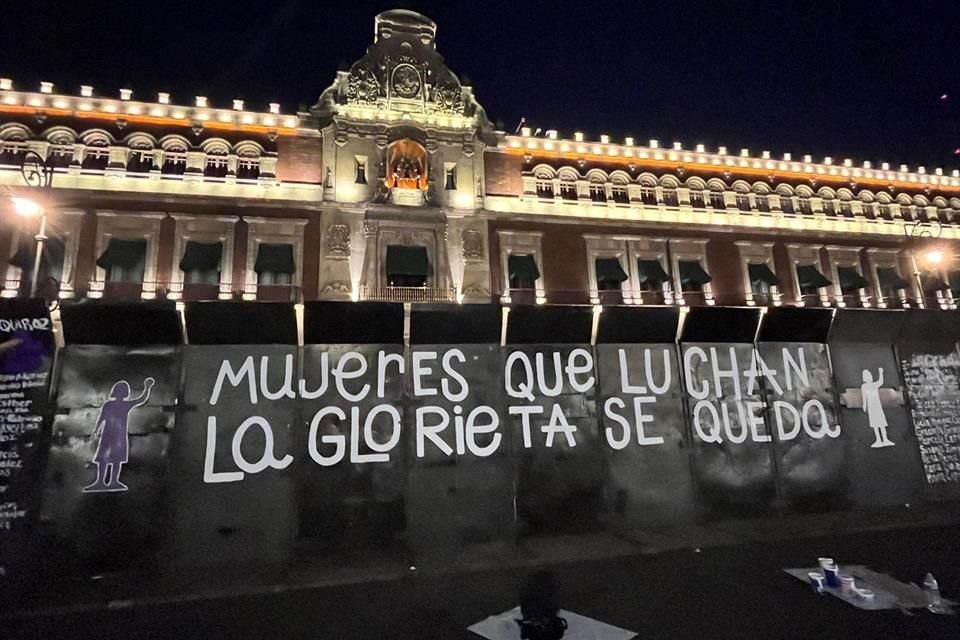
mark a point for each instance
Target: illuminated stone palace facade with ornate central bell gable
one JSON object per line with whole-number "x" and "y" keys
{"x": 395, "y": 186}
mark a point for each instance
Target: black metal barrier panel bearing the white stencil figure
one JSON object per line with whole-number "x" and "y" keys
{"x": 881, "y": 455}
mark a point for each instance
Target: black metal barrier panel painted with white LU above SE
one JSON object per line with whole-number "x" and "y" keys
{"x": 645, "y": 439}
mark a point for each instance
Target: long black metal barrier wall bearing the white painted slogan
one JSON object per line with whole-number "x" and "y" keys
{"x": 354, "y": 442}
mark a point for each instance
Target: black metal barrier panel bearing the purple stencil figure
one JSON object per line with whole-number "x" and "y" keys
{"x": 106, "y": 477}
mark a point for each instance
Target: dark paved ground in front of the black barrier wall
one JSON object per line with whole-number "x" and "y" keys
{"x": 719, "y": 592}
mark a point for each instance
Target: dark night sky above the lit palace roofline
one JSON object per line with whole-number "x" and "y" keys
{"x": 859, "y": 79}
